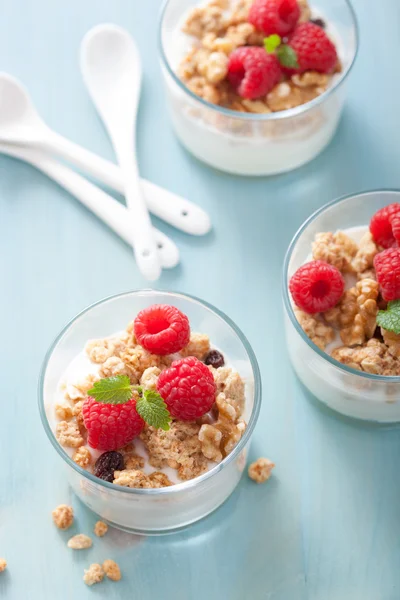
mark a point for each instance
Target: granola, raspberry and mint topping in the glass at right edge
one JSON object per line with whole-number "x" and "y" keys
{"x": 347, "y": 297}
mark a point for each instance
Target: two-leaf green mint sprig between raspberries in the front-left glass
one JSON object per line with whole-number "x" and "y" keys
{"x": 118, "y": 390}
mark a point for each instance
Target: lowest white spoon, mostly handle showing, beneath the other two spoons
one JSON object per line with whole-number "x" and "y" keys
{"x": 113, "y": 213}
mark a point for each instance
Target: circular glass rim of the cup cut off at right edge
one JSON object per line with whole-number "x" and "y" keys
{"x": 286, "y": 297}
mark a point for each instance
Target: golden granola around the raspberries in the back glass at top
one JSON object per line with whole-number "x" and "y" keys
{"x": 219, "y": 28}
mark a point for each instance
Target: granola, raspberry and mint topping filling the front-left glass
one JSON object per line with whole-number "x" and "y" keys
{"x": 151, "y": 406}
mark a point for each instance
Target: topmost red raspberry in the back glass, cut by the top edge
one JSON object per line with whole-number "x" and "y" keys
{"x": 274, "y": 16}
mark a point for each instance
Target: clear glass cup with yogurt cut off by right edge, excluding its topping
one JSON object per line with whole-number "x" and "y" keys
{"x": 353, "y": 393}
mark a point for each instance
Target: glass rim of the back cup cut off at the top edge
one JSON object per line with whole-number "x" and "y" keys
{"x": 283, "y": 114}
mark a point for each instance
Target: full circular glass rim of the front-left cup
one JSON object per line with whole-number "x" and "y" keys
{"x": 178, "y": 487}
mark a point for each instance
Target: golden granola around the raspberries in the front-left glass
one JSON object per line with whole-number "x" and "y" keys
{"x": 186, "y": 447}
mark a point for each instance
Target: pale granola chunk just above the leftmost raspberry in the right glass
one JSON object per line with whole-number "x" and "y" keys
{"x": 337, "y": 249}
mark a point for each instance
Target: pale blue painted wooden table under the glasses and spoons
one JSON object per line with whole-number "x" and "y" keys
{"x": 327, "y": 525}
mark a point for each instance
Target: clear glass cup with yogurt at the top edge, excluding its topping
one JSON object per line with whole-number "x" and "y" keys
{"x": 255, "y": 144}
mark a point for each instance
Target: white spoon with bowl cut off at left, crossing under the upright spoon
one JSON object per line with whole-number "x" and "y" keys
{"x": 21, "y": 124}
